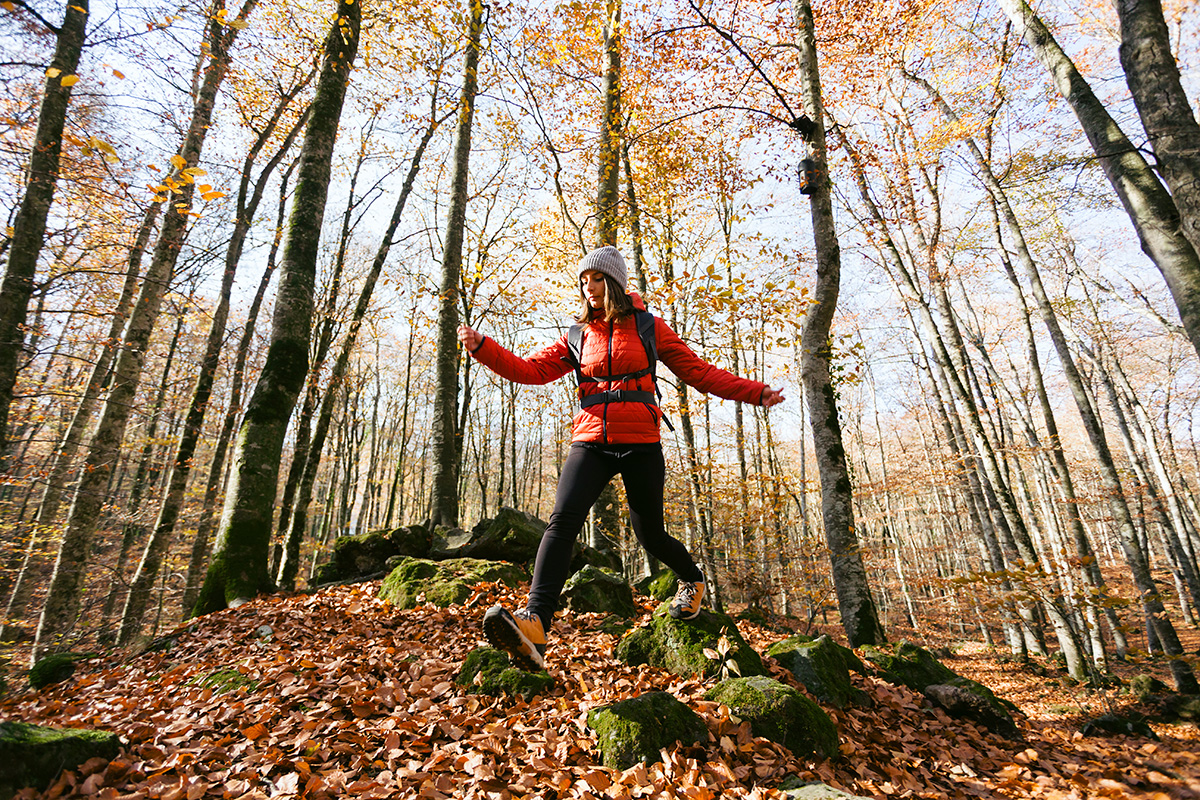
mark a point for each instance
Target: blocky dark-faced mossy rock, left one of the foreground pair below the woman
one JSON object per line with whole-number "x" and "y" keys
{"x": 637, "y": 730}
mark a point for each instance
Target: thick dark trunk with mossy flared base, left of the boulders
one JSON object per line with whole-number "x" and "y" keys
{"x": 241, "y": 561}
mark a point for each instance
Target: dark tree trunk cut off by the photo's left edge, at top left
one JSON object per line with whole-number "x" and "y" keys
{"x": 29, "y": 226}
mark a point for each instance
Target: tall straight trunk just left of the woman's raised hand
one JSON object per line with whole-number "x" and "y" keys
{"x": 445, "y": 500}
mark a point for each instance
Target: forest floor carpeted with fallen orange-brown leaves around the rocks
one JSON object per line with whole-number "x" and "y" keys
{"x": 339, "y": 694}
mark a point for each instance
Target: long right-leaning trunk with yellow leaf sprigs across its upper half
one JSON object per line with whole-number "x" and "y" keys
{"x": 67, "y": 586}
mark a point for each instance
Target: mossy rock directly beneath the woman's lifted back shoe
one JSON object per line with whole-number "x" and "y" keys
{"x": 679, "y": 646}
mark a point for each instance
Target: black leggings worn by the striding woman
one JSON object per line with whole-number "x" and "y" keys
{"x": 587, "y": 471}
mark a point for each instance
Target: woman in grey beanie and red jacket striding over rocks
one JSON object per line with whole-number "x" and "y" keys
{"x": 615, "y": 432}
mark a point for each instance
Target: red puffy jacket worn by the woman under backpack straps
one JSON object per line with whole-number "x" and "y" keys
{"x": 616, "y": 350}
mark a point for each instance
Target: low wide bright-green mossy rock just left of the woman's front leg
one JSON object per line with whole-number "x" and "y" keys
{"x": 445, "y": 584}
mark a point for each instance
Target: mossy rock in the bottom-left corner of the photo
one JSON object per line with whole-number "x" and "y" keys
{"x": 33, "y": 756}
